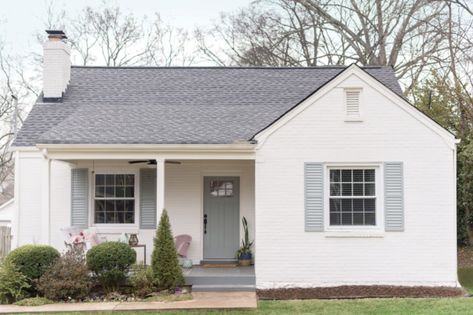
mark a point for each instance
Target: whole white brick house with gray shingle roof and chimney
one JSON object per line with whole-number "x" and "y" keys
{"x": 343, "y": 182}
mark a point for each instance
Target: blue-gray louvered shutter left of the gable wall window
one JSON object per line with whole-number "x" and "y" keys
{"x": 314, "y": 197}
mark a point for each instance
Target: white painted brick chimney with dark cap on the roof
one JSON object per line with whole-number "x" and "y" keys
{"x": 56, "y": 66}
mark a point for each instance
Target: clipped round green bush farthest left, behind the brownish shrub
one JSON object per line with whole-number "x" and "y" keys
{"x": 32, "y": 260}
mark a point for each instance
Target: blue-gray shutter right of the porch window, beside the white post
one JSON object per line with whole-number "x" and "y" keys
{"x": 147, "y": 198}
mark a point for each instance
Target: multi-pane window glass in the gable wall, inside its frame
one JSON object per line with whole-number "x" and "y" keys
{"x": 352, "y": 197}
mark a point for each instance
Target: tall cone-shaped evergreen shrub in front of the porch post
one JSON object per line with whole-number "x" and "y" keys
{"x": 165, "y": 263}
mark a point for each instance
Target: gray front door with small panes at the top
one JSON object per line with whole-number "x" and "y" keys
{"x": 221, "y": 217}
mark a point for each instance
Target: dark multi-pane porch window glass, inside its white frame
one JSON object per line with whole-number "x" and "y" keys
{"x": 114, "y": 198}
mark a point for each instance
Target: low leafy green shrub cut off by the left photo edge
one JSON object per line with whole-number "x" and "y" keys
{"x": 13, "y": 284}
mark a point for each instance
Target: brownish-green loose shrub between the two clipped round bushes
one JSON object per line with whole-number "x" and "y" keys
{"x": 67, "y": 278}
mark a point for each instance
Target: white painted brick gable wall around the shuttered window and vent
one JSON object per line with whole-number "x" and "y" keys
{"x": 424, "y": 254}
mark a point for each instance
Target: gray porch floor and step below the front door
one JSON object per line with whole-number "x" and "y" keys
{"x": 220, "y": 279}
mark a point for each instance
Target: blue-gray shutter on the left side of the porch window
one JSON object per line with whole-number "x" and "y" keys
{"x": 80, "y": 197}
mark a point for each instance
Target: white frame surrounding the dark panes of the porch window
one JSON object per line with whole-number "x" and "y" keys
{"x": 114, "y": 226}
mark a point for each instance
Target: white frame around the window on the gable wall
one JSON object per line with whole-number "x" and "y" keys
{"x": 379, "y": 214}
